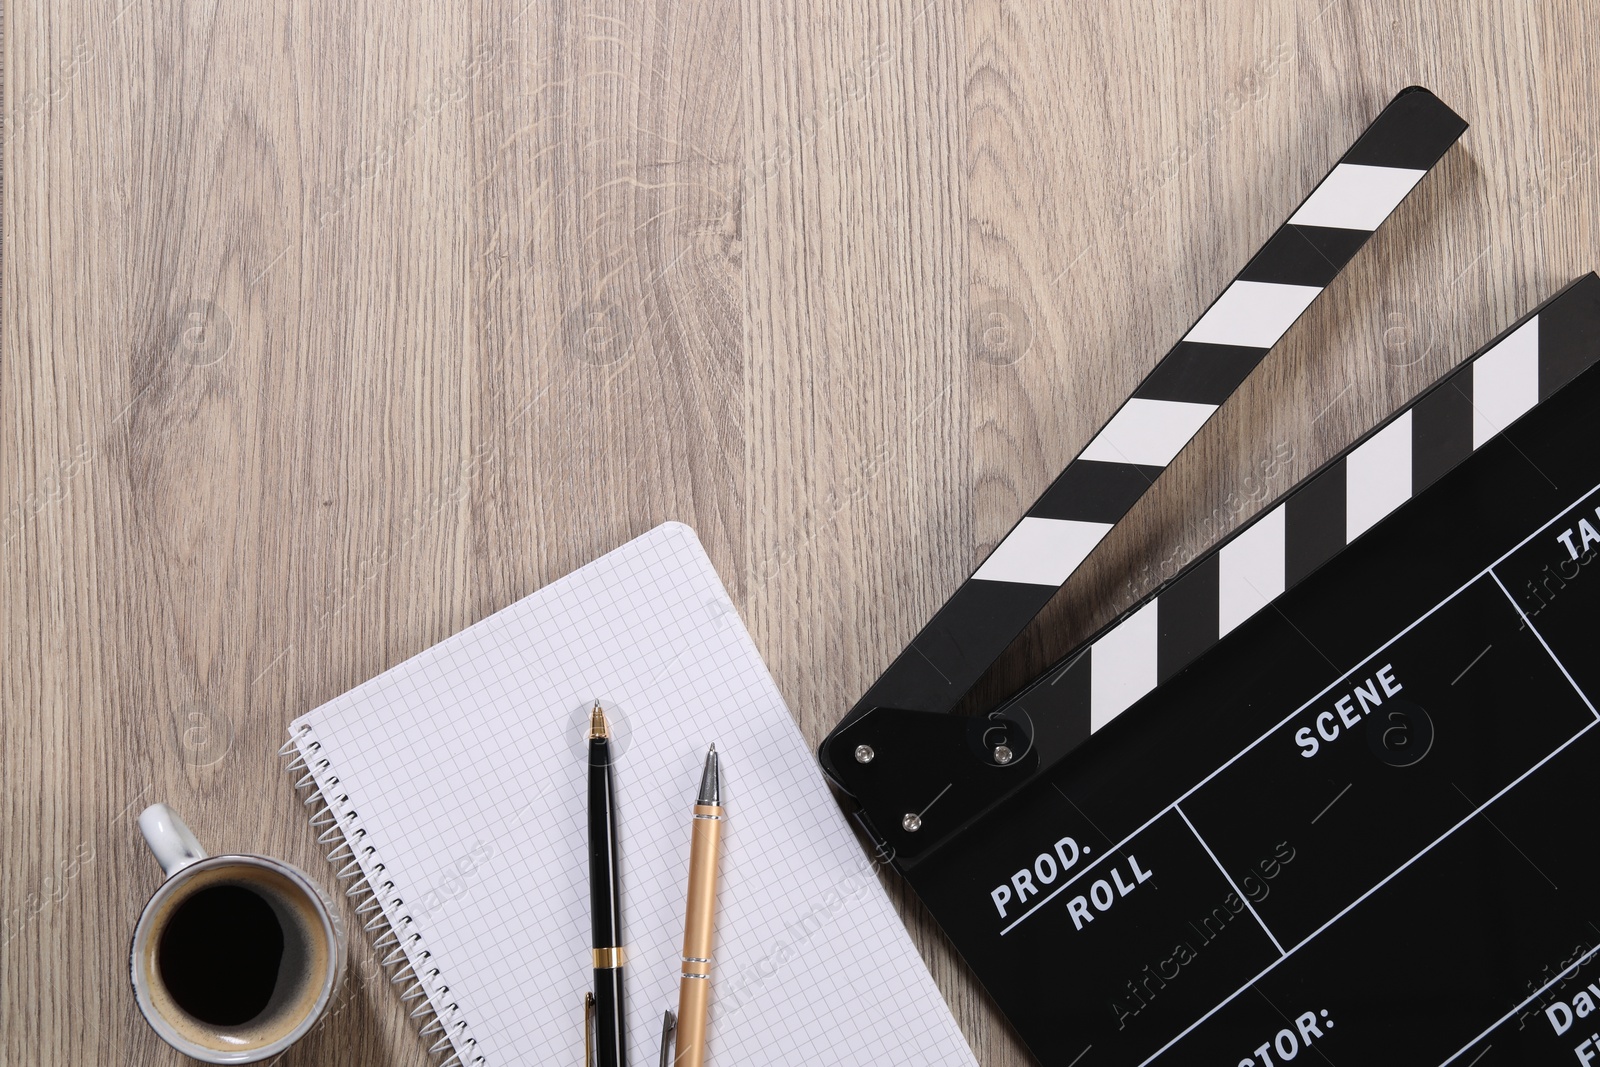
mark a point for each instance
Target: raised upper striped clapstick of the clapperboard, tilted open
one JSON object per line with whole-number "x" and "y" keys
{"x": 1169, "y": 409}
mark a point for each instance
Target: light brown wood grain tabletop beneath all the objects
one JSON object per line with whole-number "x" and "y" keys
{"x": 330, "y": 329}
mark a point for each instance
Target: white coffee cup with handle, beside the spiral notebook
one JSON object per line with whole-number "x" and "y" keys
{"x": 236, "y": 957}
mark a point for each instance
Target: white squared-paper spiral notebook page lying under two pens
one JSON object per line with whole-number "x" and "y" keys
{"x": 457, "y": 783}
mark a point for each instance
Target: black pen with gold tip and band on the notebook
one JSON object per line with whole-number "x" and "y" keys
{"x": 606, "y": 900}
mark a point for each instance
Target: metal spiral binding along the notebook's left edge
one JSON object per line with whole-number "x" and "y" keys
{"x": 406, "y": 959}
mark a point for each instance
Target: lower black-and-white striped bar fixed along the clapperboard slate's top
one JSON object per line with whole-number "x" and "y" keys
{"x": 1329, "y": 511}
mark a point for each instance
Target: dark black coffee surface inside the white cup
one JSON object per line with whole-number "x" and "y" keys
{"x": 220, "y": 956}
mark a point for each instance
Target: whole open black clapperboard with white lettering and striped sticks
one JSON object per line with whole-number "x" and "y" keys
{"x": 1330, "y": 793}
